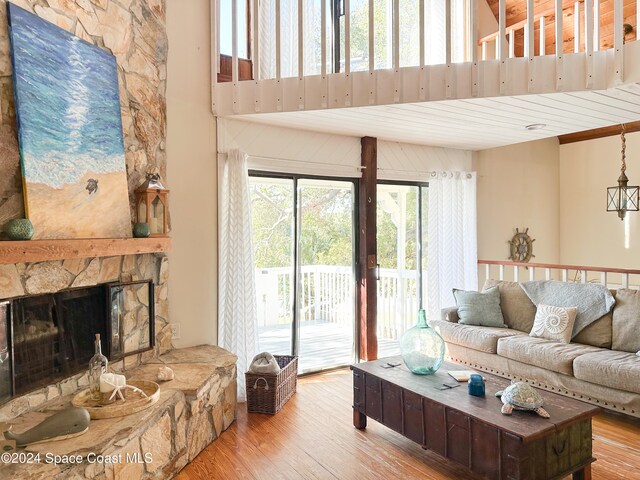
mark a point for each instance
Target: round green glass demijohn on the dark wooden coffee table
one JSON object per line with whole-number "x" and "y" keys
{"x": 422, "y": 347}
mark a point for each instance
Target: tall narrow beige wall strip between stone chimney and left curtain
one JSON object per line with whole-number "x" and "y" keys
{"x": 191, "y": 154}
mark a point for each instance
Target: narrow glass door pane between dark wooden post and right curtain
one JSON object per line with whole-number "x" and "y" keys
{"x": 401, "y": 239}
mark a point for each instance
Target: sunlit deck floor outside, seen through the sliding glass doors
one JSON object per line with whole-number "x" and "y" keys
{"x": 322, "y": 345}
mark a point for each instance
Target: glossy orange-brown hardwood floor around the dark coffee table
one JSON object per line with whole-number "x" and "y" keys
{"x": 313, "y": 437}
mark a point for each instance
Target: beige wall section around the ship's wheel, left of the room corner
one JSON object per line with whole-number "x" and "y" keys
{"x": 518, "y": 187}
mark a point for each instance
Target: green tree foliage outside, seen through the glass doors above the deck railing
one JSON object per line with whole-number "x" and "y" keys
{"x": 326, "y": 236}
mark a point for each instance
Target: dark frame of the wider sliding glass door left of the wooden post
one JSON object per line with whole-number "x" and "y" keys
{"x": 297, "y": 267}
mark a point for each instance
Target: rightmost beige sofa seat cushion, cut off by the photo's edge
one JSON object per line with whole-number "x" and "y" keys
{"x": 613, "y": 369}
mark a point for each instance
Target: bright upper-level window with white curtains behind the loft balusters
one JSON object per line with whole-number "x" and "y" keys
{"x": 383, "y": 38}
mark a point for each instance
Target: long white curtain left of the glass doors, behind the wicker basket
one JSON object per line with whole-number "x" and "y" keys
{"x": 237, "y": 318}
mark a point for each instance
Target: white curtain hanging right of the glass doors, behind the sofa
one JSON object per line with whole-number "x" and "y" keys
{"x": 452, "y": 238}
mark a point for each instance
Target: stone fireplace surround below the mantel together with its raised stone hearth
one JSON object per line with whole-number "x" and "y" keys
{"x": 193, "y": 409}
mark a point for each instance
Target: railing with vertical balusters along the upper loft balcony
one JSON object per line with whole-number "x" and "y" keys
{"x": 296, "y": 24}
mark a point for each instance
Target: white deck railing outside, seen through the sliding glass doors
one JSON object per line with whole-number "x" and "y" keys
{"x": 327, "y": 295}
